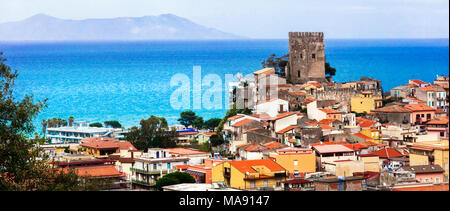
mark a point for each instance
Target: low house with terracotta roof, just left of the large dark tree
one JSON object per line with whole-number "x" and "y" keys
{"x": 101, "y": 147}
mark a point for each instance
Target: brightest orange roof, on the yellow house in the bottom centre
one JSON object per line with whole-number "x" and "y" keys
{"x": 245, "y": 166}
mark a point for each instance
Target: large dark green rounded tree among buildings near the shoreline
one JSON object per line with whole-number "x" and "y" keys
{"x": 154, "y": 132}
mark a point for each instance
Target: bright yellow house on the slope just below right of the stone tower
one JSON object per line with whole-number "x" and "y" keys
{"x": 365, "y": 103}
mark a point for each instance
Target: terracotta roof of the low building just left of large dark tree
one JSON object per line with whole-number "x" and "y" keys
{"x": 106, "y": 143}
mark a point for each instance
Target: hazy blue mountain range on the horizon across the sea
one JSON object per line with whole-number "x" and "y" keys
{"x": 163, "y": 27}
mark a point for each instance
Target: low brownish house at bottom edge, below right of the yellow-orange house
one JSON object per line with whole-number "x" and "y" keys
{"x": 351, "y": 183}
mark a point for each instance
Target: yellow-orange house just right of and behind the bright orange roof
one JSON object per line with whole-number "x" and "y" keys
{"x": 295, "y": 160}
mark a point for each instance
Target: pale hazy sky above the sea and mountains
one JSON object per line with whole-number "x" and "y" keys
{"x": 263, "y": 19}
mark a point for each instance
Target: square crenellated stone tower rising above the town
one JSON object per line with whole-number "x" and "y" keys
{"x": 306, "y": 57}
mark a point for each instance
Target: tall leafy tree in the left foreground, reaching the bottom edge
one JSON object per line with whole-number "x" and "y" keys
{"x": 23, "y": 165}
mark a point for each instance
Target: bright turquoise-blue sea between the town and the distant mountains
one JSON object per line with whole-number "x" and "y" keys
{"x": 129, "y": 81}
